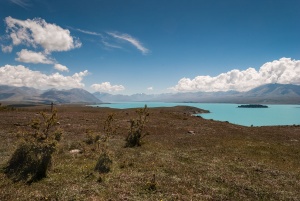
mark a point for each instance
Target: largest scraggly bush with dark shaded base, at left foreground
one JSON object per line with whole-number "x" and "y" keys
{"x": 32, "y": 157}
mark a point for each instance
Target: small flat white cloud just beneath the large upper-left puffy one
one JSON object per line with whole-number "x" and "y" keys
{"x": 28, "y": 56}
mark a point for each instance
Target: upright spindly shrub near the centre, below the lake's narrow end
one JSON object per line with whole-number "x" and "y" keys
{"x": 136, "y": 131}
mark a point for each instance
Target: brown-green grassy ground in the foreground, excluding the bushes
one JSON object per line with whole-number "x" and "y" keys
{"x": 183, "y": 158}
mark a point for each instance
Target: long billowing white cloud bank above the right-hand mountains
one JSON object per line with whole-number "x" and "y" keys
{"x": 284, "y": 71}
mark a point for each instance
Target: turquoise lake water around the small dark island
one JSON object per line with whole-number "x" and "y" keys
{"x": 274, "y": 115}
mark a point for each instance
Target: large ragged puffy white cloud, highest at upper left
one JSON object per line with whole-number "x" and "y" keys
{"x": 38, "y": 32}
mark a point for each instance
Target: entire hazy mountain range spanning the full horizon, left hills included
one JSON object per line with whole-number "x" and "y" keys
{"x": 266, "y": 94}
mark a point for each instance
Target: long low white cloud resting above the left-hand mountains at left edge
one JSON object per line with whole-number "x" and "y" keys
{"x": 22, "y": 76}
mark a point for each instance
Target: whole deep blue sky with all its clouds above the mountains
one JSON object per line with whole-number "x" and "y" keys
{"x": 157, "y": 46}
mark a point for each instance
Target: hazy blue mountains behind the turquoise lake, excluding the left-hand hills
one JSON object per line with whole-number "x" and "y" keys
{"x": 269, "y": 93}
